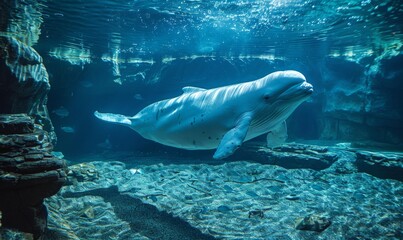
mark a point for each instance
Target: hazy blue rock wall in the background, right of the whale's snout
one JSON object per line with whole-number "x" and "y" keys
{"x": 361, "y": 100}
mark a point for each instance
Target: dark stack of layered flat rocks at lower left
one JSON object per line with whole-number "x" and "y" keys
{"x": 28, "y": 173}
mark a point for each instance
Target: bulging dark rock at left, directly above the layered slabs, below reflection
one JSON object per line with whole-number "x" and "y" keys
{"x": 24, "y": 83}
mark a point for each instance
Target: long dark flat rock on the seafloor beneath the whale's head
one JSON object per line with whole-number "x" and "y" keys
{"x": 299, "y": 156}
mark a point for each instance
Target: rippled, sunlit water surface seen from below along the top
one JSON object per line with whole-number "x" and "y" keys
{"x": 152, "y": 29}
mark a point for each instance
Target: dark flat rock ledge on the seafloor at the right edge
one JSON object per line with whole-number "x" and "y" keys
{"x": 382, "y": 165}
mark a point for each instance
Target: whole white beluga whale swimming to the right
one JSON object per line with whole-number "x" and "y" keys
{"x": 220, "y": 118}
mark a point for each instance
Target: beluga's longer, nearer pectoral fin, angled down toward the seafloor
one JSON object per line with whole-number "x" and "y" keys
{"x": 233, "y": 139}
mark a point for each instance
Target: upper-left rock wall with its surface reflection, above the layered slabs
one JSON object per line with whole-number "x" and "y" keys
{"x": 24, "y": 81}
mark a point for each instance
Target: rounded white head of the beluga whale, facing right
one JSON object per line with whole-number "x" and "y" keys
{"x": 279, "y": 93}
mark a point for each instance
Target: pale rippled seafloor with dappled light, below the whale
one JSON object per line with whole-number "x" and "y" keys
{"x": 119, "y": 195}
